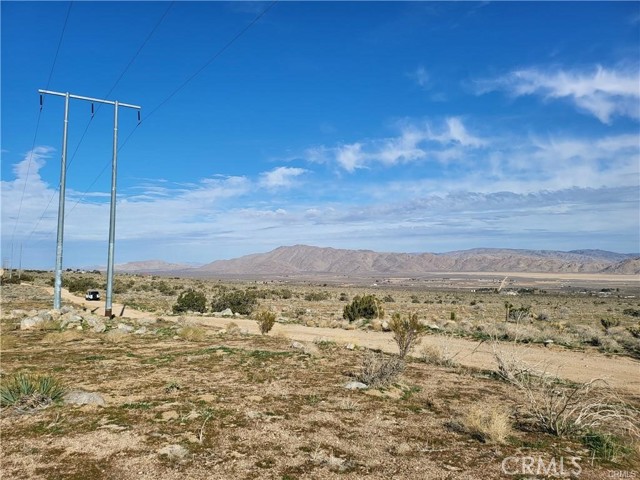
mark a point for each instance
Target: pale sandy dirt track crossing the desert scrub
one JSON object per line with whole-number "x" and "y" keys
{"x": 622, "y": 373}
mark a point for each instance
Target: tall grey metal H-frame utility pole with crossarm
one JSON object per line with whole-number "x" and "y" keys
{"x": 58, "y": 272}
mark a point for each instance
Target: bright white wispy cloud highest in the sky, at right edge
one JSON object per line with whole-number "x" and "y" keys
{"x": 603, "y": 92}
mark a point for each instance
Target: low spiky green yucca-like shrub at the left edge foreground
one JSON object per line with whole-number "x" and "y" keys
{"x": 30, "y": 392}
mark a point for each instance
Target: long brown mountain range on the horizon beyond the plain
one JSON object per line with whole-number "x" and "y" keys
{"x": 303, "y": 259}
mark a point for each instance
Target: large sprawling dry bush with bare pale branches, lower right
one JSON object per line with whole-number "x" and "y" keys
{"x": 564, "y": 409}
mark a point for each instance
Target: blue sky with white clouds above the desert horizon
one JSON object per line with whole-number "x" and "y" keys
{"x": 388, "y": 126}
